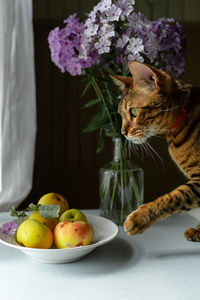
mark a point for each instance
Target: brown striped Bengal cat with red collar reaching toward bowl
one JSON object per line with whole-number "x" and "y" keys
{"x": 153, "y": 102}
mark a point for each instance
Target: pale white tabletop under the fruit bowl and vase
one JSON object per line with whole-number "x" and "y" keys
{"x": 157, "y": 265}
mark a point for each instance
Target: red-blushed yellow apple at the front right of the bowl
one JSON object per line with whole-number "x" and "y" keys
{"x": 72, "y": 234}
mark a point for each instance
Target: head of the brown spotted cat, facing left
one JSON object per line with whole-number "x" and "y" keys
{"x": 144, "y": 103}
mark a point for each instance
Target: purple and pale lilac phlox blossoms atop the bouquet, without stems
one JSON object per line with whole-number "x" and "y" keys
{"x": 112, "y": 34}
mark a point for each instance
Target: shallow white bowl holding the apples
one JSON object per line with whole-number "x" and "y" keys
{"x": 104, "y": 231}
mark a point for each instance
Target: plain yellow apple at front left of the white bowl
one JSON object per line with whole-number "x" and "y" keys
{"x": 33, "y": 234}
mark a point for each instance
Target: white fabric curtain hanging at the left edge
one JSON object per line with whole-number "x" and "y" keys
{"x": 17, "y": 102}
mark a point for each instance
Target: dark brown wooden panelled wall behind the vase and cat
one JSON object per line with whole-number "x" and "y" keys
{"x": 65, "y": 159}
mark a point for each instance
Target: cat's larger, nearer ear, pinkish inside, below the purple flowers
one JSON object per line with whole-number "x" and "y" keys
{"x": 146, "y": 73}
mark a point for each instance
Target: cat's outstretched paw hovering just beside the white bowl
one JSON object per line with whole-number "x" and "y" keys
{"x": 138, "y": 221}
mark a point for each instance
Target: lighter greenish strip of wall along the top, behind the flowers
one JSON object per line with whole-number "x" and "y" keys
{"x": 181, "y": 10}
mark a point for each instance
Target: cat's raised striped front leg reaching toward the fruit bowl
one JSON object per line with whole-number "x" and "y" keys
{"x": 185, "y": 197}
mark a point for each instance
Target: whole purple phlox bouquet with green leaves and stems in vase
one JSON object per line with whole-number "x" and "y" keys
{"x": 111, "y": 35}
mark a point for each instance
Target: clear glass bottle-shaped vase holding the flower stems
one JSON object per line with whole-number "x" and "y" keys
{"x": 120, "y": 187}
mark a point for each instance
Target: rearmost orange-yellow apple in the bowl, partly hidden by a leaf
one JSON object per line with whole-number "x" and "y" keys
{"x": 54, "y": 199}
